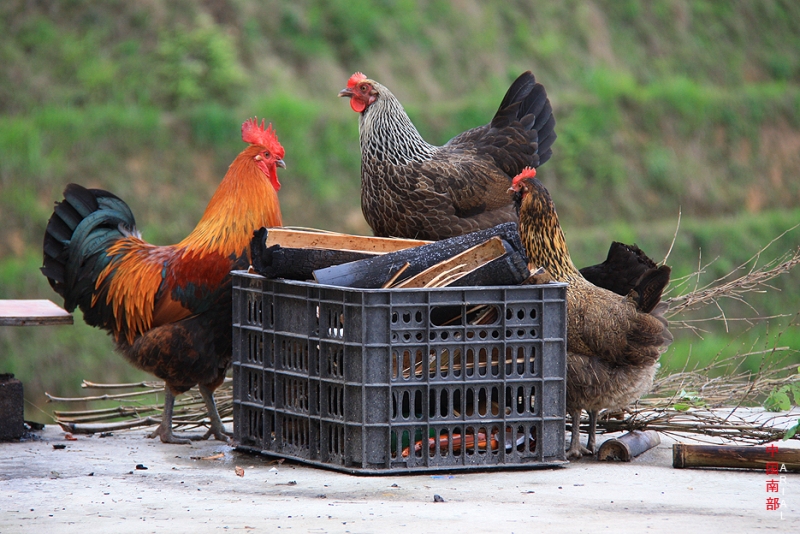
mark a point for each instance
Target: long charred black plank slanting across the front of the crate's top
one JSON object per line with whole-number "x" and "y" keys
{"x": 374, "y": 272}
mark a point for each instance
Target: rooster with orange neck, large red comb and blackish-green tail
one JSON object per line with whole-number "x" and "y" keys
{"x": 168, "y": 308}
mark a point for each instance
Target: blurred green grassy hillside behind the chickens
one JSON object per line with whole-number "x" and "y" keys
{"x": 663, "y": 107}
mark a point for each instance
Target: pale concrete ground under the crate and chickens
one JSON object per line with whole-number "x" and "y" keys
{"x": 127, "y": 483}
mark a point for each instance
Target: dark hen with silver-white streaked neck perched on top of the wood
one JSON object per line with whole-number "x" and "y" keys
{"x": 412, "y": 189}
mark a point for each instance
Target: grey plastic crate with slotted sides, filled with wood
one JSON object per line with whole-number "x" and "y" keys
{"x": 396, "y": 380}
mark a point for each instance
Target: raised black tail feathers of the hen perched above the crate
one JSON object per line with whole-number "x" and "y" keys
{"x": 526, "y": 101}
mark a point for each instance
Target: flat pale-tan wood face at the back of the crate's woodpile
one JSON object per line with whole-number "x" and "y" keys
{"x": 335, "y": 241}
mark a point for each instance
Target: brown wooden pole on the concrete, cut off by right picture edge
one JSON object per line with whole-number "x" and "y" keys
{"x": 741, "y": 457}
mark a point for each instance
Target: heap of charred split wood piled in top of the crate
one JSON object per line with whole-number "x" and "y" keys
{"x": 492, "y": 257}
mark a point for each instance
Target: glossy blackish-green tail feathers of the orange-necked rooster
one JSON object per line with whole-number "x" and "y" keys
{"x": 77, "y": 236}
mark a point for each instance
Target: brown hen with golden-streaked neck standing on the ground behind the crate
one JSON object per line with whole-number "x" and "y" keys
{"x": 613, "y": 341}
